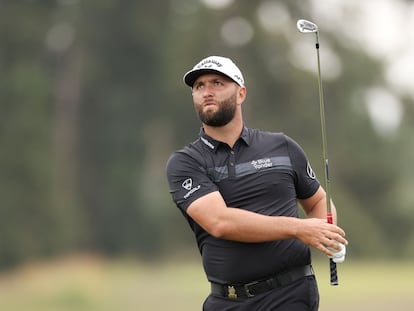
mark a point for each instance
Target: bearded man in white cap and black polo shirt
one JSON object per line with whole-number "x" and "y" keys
{"x": 239, "y": 190}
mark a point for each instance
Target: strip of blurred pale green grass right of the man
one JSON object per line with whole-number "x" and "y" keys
{"x": 367, "y": 285}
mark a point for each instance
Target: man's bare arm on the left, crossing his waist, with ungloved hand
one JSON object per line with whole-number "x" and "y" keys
{"x": 211, "y": 213}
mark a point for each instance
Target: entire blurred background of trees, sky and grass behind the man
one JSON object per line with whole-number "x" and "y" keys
{"x": 92, "y": 104}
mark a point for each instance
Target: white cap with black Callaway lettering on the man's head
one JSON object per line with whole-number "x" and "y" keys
{"x": 214, "y": 64}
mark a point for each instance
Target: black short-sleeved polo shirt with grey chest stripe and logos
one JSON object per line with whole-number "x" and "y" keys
{"x": 264, "y": 173}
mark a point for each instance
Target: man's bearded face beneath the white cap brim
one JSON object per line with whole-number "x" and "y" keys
{"x": 215, "y": 99}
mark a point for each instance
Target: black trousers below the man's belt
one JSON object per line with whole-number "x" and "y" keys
{"x": 301, "y": 295}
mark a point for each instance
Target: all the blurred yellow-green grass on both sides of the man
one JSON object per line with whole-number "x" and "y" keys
{"x": 92, "y": 283}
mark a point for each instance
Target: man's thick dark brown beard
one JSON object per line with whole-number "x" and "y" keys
{"x": 224, "y": 114}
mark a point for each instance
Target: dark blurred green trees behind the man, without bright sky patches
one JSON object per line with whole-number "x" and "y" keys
{"x": 92, "y": 104}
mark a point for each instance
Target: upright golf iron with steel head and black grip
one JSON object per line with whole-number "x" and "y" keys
{"x": 305, "y": 26}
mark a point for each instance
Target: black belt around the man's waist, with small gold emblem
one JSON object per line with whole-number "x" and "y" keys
{"x": 257, "y": 287}
